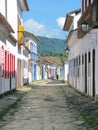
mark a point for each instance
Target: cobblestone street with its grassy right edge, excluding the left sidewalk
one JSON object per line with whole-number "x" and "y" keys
{"x": 52, "y": 105}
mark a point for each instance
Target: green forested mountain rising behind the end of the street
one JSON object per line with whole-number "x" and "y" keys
{"x": 51, "y": 46}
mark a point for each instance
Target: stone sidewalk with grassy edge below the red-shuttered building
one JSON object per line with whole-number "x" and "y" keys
{"x": 9, "y": 99}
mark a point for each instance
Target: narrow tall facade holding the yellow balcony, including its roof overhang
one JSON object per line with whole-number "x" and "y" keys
{"x": 22, "y": 6}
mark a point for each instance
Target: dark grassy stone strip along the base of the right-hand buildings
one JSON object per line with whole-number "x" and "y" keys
{"x": 86, "y": 106}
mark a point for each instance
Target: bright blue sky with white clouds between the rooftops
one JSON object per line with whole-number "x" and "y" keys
{"x": 47, "y": 17}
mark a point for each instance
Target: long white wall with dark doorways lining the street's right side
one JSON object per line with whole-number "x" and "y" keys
{"x": 82, "y": 47}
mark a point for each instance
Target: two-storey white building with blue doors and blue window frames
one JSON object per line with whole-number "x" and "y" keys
{"x": 31, "y": 42}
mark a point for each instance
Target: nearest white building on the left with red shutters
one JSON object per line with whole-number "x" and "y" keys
{"x": 8, "y": 50}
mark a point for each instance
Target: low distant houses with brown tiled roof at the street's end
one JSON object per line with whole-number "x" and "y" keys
{"x": 50, "y": 66}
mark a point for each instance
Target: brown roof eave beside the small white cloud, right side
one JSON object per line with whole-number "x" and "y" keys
{"x": 69, "y": 19}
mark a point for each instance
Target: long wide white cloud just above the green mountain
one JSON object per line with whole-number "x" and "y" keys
{"x": 40, "y": 29}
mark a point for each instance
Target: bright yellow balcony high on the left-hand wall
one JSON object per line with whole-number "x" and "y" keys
{"x": 20, "y": 34}
